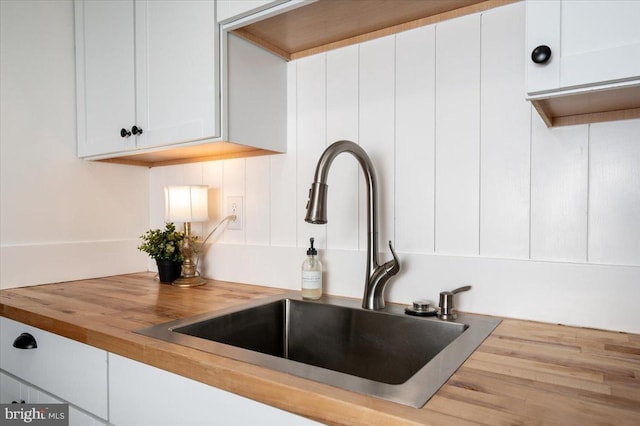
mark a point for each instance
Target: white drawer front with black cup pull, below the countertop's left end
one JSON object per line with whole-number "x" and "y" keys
{"x": 72, "y": 371}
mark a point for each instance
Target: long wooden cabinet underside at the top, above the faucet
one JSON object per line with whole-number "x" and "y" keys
{"x": 329, "y": 24}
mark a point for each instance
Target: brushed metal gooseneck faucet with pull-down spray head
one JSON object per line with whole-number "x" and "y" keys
{"x": 377, "y": 275}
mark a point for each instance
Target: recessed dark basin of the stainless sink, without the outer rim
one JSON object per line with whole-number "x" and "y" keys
{"x": 385, "y": 348}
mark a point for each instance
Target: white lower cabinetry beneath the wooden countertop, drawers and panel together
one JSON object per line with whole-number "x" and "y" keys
{"x": 103, "y": 388}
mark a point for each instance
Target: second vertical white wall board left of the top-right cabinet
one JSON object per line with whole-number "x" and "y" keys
{"x": 457, "y": 200}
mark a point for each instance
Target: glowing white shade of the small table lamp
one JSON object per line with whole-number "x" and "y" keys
{"x": 186, "y": 203}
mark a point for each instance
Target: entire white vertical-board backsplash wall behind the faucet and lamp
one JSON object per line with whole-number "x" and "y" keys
{"x": 544, "y": 223}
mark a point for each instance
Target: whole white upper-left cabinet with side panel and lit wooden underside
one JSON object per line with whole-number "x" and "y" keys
{"x": 159, "y": 82}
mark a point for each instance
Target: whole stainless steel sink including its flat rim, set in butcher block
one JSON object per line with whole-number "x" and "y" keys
{"x": 386, "y": 353}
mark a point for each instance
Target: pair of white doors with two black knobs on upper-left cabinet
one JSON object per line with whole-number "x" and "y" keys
{"x": 148, "y": 64}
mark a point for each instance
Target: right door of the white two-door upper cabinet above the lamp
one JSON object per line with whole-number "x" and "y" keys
{"x": 177, "y": 71}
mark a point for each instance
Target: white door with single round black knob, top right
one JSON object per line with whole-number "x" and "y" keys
{"x": 592, "y": 43}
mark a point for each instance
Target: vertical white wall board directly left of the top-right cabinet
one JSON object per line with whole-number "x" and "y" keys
{"x": 505, "y": 149}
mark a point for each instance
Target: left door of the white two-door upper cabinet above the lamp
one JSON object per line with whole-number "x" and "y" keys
{"x": 105, "y": 75}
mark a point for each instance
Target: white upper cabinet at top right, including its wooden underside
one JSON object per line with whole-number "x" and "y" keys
{"x": 591, "y": 46}
